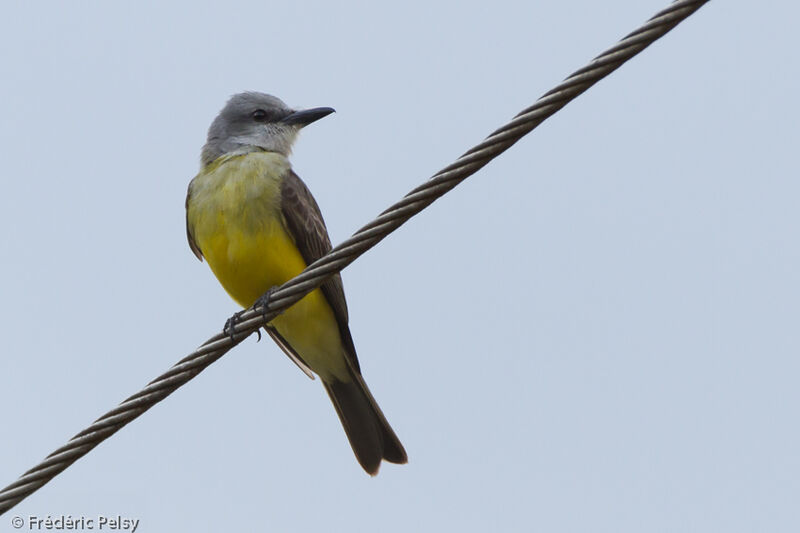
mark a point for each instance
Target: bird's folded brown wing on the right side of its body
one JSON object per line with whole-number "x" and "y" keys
{"x": 305, "y": 224}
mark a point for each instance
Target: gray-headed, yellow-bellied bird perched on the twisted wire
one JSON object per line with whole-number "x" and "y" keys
{"x": 257, "y": 225}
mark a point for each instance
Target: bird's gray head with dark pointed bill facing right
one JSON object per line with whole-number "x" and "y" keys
{"x": 256, "y": 121}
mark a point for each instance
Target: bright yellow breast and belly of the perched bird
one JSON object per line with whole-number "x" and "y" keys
{"x": 238, "y": 228}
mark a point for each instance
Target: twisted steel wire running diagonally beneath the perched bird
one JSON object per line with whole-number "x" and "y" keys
{"x": 348, "y": 251}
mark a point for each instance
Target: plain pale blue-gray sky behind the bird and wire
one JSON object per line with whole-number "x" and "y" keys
{"x": 597, "y": 332}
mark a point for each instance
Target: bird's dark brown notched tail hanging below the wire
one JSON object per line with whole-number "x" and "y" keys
{"x": 367, "y": 430}
